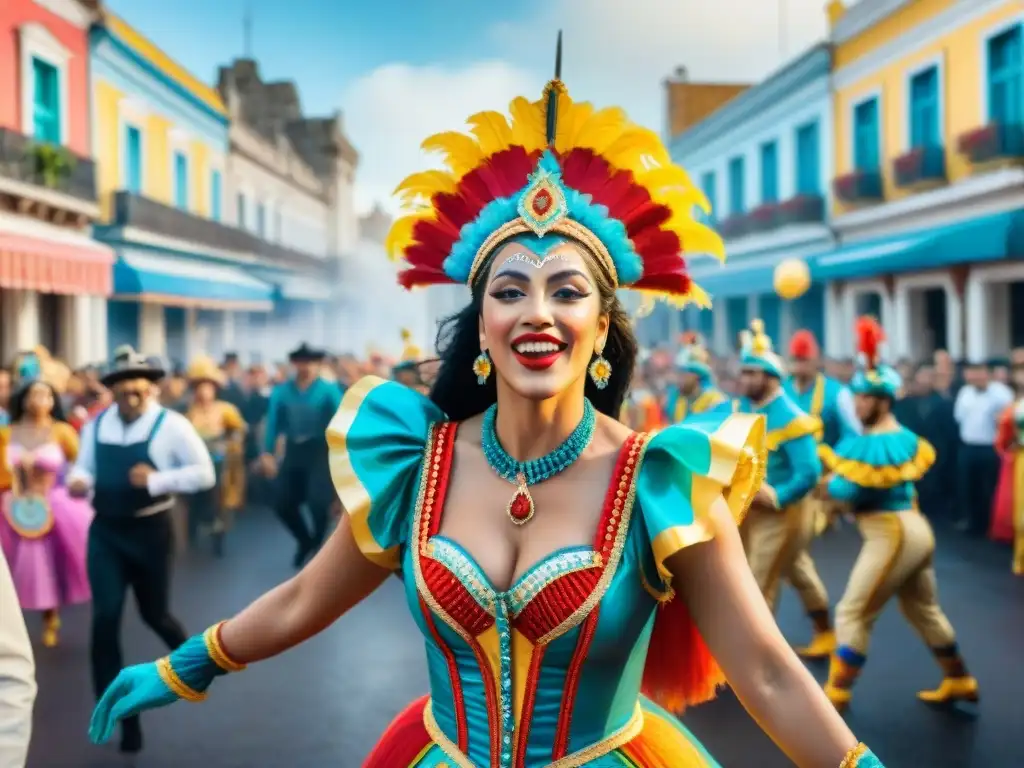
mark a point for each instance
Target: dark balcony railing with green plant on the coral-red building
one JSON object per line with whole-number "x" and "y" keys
{"x": 47, "y": 166}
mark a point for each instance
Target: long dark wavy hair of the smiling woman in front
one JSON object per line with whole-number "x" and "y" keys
{"x": 456, "y": 391}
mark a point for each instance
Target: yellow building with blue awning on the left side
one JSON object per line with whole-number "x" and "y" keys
{"x": 161, "y": 144}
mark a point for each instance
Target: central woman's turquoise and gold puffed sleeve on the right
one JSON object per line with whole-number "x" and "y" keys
{"x": 688, "y": 467}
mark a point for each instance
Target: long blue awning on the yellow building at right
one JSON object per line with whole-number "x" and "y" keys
{"x": 984, "y": 239}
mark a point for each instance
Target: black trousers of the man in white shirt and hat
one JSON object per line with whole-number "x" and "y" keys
{"x": 133, "y": 552}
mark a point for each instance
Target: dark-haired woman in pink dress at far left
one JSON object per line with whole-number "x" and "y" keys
{"x": 44, "y": 531}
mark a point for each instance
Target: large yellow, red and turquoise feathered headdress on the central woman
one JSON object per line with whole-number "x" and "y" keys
{"x": 558, "y": 167}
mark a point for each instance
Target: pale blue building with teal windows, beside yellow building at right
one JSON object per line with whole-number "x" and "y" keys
{"x": 764, "y": 162}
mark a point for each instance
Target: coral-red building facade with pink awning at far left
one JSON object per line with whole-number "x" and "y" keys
{"x": 55, "y": 279}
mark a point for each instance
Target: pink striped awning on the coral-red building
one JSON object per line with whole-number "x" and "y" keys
{"x": 72, "y": 264}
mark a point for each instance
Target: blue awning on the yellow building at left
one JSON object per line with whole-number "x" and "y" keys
{"x": 140, "y": 276}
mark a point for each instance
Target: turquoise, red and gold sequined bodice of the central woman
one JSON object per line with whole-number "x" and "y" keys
{"x": 542, "y": 672}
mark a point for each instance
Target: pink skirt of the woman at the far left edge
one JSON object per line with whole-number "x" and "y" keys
{"x": 51, "y": 572}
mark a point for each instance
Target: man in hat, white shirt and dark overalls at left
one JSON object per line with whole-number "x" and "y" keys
{"x": 137, "y": 456}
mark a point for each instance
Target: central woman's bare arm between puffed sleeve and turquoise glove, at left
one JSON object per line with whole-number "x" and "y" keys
{"x": 336, "y": 580}
